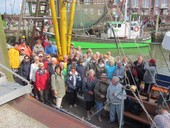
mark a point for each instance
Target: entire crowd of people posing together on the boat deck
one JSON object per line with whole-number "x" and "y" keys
{"x": 98, "y": 77}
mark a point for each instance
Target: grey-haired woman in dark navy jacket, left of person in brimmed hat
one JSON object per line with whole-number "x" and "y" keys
{"x": 89, "y": 84}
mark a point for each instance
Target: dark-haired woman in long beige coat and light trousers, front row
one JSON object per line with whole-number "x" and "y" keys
{"x": 58, "y": 85}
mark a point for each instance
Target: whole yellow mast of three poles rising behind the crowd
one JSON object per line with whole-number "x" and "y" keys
{"x": 63, "y": 43}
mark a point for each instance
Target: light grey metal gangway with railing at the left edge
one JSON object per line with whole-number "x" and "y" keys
{"x": 11, "y": 90}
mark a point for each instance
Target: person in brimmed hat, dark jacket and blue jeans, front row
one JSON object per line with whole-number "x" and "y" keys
{"x": 100, "y": 92}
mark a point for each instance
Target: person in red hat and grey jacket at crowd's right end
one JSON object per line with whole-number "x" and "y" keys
{"x": 149, "y": 77}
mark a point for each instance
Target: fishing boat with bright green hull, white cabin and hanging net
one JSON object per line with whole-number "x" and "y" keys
{"x": 93, "y": 25}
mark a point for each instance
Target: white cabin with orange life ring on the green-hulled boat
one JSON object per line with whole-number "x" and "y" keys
{"x": 123, "y": 29}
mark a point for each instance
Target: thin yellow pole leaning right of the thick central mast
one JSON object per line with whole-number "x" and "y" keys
{"x": 71, "y": 24}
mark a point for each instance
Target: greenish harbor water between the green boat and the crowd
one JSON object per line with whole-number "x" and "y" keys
{"x": 155, "y": 51}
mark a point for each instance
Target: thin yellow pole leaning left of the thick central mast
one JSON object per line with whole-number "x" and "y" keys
{"x": 55, "y": 23}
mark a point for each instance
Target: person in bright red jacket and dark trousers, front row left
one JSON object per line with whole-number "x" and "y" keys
{"x": 42, "y": 82}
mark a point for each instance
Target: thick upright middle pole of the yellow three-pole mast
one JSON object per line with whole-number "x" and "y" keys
{"x": 63, "y": 27}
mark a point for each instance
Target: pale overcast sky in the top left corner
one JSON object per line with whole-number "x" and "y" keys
{"x": 10, "y": 6}
